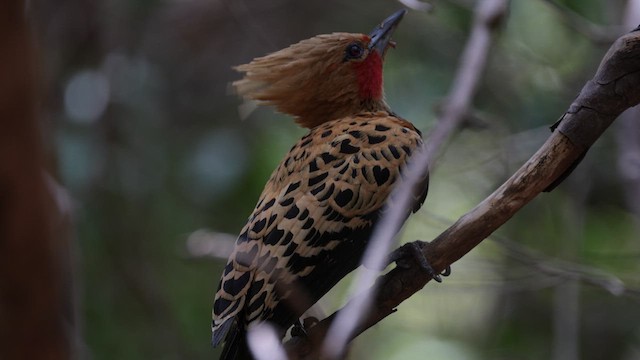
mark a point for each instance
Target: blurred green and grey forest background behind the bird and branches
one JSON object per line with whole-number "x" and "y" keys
{"x": 144, "y": 136}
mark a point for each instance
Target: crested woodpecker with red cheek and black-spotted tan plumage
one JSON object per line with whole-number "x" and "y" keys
{"x": 316, "y": 213}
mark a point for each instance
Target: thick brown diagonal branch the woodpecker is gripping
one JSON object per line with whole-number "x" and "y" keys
{"x": 613, "y": 89}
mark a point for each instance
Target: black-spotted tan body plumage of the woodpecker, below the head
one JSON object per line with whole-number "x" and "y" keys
{"x": 314, "y": 217}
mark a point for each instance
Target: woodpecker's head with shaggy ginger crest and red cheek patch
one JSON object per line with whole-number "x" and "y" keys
{"x": 322, "y": 78}
